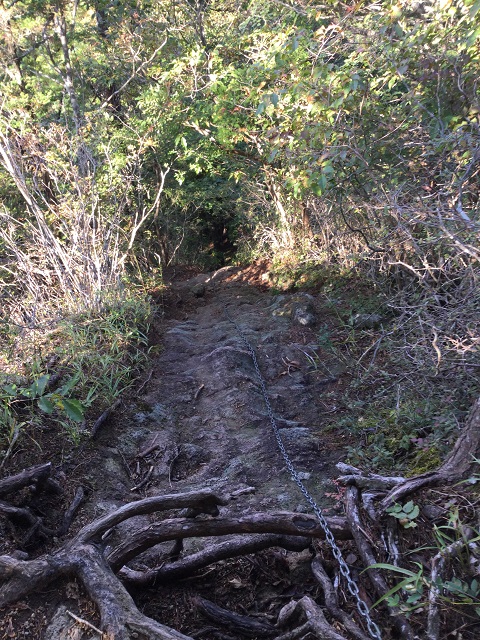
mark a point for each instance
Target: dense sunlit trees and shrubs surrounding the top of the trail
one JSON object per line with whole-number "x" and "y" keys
{"x": 339, "y": 140}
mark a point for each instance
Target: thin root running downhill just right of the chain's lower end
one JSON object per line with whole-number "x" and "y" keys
{"x": 368, "y": 557}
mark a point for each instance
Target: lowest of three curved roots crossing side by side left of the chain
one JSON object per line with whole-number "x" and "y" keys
{"x": 184, "y": 568}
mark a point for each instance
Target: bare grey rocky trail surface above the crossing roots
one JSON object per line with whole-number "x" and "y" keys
{"x": 202, "y": 416}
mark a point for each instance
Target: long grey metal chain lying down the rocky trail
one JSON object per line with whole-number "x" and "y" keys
{"x": 362, "y": 607}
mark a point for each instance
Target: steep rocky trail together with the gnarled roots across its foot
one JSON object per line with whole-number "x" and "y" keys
{"x": 180, "y": 518}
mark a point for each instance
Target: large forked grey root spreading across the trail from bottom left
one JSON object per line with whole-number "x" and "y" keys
{"x": 84, "y": 558}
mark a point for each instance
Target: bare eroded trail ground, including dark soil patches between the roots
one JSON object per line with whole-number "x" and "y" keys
{"x": 199, "y": 420}
